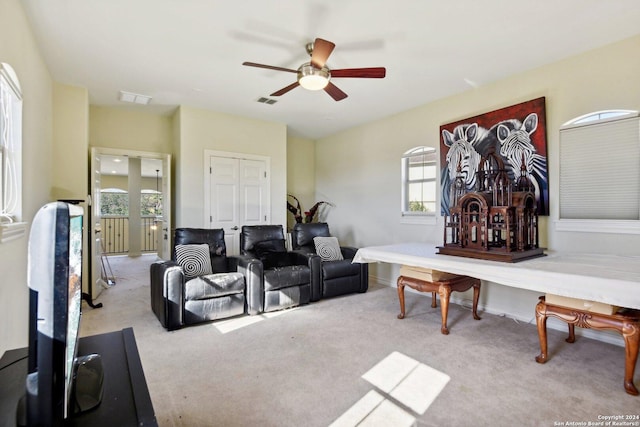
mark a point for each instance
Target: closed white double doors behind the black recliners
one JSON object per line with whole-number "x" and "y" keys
{"x": 238, "y": 195}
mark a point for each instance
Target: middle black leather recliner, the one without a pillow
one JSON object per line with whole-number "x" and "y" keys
{"x": 287, "y": 276}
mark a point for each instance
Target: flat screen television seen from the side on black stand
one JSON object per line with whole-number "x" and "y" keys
{"x": 58, "y": 383}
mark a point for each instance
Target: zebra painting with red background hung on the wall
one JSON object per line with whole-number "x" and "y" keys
{"x": 516, "y": 133}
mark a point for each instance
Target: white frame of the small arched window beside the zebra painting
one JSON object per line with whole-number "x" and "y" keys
{"x": 420, "y": 217}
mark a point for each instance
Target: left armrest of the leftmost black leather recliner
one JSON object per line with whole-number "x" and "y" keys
{"x": 167, "y": 293}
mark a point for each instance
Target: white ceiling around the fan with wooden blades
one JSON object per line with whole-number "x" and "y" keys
{"x": 190, "y": 52}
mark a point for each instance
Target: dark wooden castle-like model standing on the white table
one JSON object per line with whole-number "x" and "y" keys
{"x": 498, "y": 221}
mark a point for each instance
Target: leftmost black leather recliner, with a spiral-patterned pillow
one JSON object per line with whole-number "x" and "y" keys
{"x": 189, "y": 290}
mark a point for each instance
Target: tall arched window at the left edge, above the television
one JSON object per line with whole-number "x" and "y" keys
{"x": 10, "y": 155}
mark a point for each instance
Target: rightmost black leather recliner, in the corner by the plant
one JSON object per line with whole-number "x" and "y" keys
{"x": 338, "y": 276}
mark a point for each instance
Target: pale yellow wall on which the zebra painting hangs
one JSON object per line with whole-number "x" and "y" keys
{"x": 364, "y": 181}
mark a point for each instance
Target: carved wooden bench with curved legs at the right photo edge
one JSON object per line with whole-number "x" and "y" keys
{"x": 626, "y": 322}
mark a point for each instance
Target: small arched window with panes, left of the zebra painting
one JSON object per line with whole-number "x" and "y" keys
{"x": 419, "y": 182}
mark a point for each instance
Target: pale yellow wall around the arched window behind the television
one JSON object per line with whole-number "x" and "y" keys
{"x": 18, "y": 48}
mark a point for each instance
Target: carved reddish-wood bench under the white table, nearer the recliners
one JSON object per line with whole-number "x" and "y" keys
{"x": 443, "y": 288}
